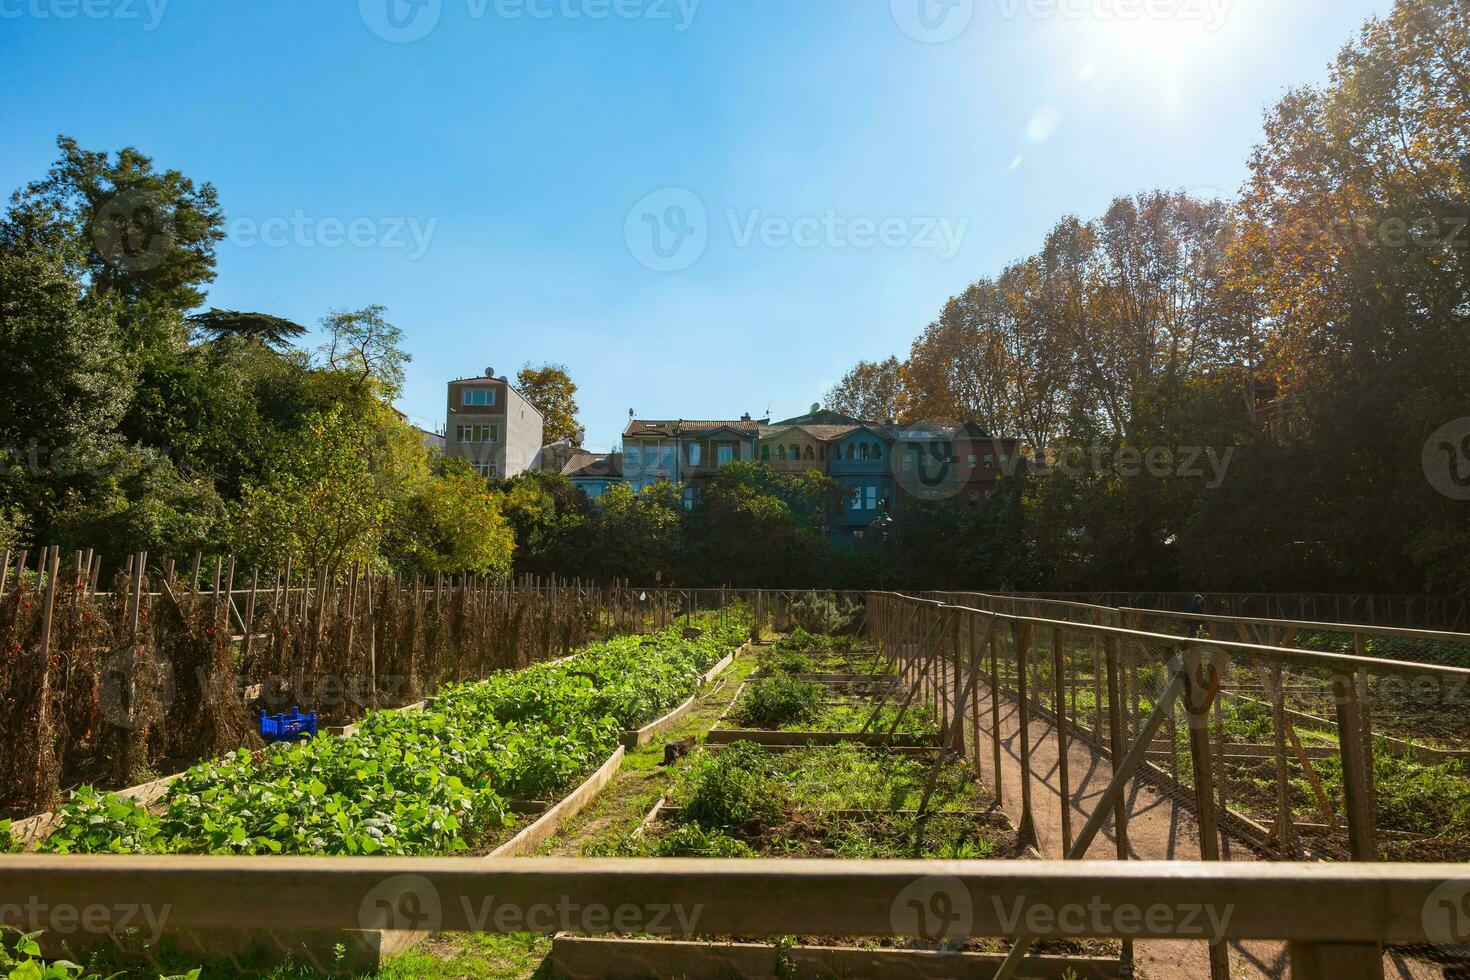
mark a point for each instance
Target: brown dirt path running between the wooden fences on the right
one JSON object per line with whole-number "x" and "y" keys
{"x": 1159, "y": 829}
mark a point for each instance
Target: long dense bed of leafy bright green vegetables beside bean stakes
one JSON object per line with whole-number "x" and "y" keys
{"x": 412, "y": 784}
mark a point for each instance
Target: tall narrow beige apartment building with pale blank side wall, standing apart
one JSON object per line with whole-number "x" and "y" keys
{"x": 492, "y": 425}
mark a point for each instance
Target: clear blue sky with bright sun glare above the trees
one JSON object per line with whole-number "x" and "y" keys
{"x": 821, "y": 176}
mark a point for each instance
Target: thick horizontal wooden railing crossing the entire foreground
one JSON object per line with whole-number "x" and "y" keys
{"x": 1334, "y": 916}
